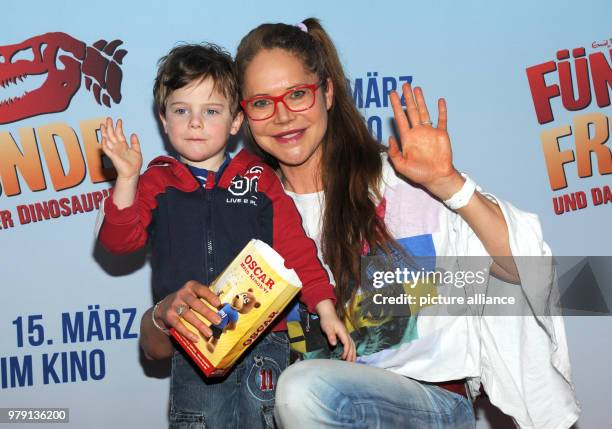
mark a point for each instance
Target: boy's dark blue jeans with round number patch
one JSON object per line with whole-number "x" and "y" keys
{"x": 242, "y": 399}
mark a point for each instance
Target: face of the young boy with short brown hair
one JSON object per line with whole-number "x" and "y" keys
{"x": 198, "y": 122}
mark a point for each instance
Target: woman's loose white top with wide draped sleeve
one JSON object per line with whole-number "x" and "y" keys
{"x": 522, "y": 361}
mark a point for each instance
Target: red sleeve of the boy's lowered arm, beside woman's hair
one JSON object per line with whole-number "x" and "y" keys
{"x": 292, "y": 243}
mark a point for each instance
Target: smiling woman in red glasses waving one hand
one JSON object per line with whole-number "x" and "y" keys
{"x": 353, "y": 204}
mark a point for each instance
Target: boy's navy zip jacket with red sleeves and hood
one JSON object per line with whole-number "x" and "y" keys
{"x": 196, "y": 231}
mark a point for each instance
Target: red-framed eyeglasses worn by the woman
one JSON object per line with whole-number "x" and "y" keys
{"x": 296, "y": 99}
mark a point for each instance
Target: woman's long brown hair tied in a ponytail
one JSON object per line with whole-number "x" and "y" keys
{"x": 351, "y": 164}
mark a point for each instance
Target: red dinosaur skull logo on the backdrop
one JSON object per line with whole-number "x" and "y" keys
{"x": 64, "y": 60}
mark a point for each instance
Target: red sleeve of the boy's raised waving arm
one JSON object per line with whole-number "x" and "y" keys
{"x": 125, "y": 230}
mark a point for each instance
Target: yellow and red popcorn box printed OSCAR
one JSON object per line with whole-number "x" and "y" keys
{"x": 254, "y": 289}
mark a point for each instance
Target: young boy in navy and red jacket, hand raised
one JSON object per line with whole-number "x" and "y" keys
{"x": 198, "y": 213}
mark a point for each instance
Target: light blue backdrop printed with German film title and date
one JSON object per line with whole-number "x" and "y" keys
{"x": 70, "y": 312}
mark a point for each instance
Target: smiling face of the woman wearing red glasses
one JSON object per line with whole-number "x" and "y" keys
{"x": 293, "y": 138}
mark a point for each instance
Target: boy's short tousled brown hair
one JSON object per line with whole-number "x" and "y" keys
{"x": 189, "y": 63}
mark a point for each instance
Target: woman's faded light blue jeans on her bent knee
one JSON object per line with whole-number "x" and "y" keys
{"x": 322, "y": 393}
